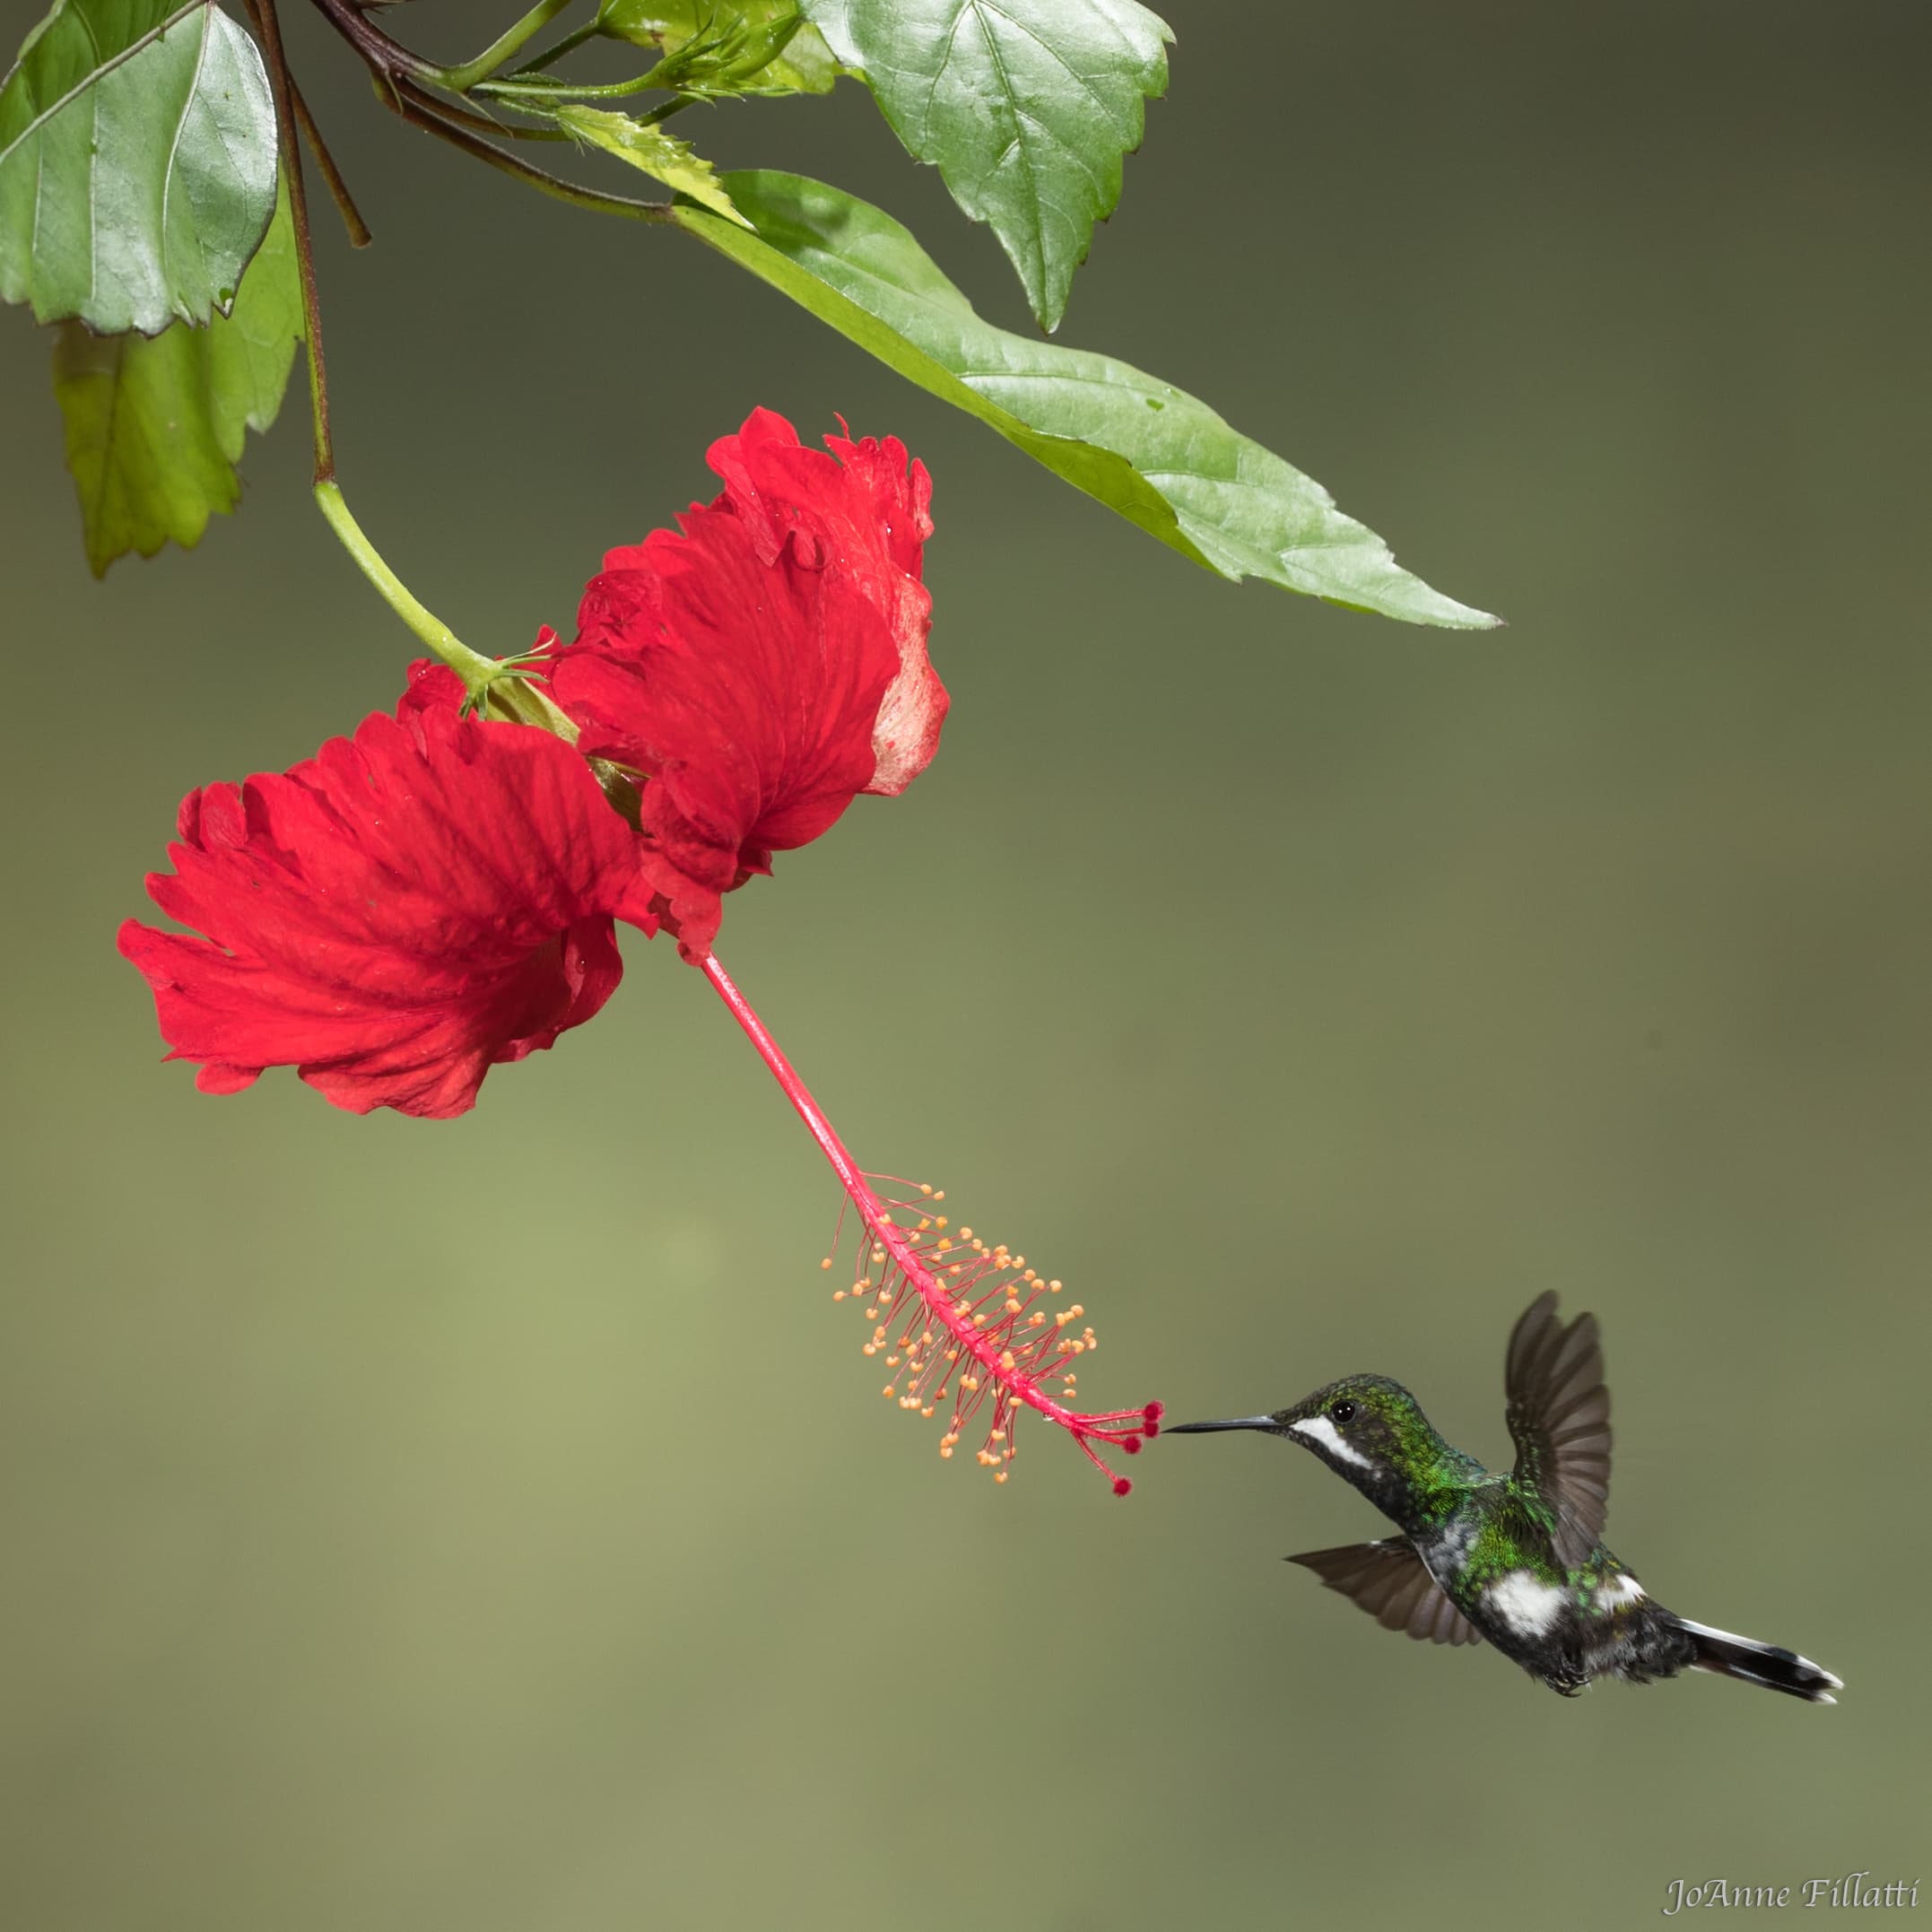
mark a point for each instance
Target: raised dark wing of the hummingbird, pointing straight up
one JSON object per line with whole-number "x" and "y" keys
{"x": 1560, "y": 1423}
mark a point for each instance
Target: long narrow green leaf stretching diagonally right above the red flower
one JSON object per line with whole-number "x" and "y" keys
{"x": 1151, "y": 451}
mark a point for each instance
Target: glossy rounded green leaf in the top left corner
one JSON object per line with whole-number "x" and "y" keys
{"x": 136, "y": 163}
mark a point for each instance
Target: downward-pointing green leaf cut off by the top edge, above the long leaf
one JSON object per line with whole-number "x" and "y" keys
{"x": 1023, "y": 105}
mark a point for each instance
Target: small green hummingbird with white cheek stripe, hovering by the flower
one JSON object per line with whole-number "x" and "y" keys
{"x": 1516, "y": 1560}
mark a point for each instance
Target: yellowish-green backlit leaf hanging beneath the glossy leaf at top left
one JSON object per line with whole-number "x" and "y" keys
{"x": 156, "y": 424}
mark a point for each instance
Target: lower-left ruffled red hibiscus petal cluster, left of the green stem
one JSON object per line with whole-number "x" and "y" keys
{"x": 397, "y": 915}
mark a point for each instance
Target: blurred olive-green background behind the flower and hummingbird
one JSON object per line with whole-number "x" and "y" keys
{"x": 496, "y": 1527}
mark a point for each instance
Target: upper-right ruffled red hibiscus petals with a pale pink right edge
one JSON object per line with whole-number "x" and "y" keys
{"x": 751, "y": 666}
